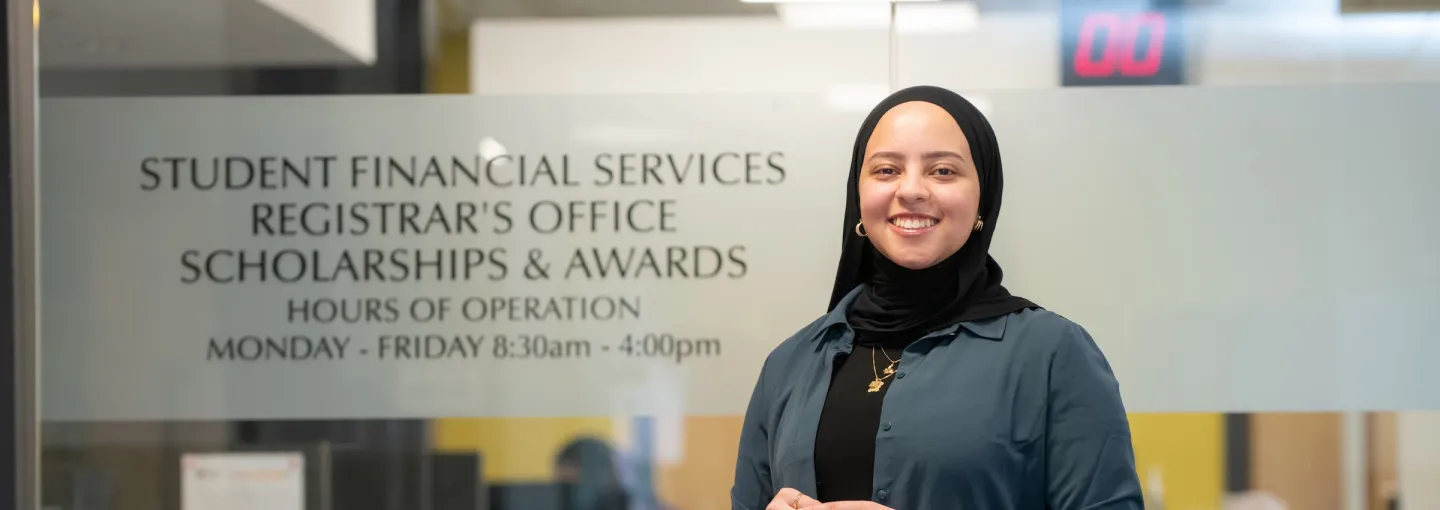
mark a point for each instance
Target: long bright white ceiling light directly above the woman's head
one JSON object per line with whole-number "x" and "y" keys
{"x": 918, "y": 18}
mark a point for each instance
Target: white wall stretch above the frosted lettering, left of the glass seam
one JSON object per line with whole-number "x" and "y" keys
{"x": 669, "y": 57}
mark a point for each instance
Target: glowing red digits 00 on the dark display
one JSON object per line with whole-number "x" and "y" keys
{"x": 1120, "y": 45}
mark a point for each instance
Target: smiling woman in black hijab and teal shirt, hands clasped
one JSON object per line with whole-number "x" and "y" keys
{"x": 961, "y": 395}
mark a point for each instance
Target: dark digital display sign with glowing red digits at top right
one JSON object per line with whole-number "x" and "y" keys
{"x": 1107, "y": 44}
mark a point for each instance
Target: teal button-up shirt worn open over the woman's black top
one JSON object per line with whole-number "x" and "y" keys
{"x": 1012, "y": 413}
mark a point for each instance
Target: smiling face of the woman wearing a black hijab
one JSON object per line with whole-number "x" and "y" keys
{"x": 919, "y": 192}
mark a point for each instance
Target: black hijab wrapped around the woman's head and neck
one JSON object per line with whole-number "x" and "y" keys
{"x": 964, "y": 287}
